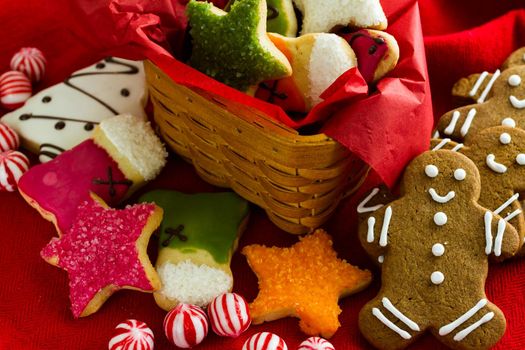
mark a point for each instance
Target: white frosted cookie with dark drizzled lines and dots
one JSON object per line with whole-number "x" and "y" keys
{"x": 62, "y": 116}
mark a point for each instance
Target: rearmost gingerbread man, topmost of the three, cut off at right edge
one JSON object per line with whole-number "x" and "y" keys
{"x": 505, "y": 107}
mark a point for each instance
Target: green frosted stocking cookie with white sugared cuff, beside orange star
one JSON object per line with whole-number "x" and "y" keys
{"x": 198, "y": 236}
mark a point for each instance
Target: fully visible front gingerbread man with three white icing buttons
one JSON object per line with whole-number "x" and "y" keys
{"x": 436, "y": 241}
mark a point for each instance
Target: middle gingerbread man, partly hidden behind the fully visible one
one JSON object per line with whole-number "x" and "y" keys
{"x": 499, "y": 154}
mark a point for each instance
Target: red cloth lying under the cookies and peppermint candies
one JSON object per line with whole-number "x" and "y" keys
{"x": 461, "y": 37}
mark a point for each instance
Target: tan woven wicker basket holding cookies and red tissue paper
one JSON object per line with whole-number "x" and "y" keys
{"x": 298, "y": 180}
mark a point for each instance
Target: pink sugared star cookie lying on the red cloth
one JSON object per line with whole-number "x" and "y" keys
{"x": 104, "y": 251}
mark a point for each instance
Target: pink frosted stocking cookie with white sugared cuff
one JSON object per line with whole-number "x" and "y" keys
{"x": 124, "y": 154}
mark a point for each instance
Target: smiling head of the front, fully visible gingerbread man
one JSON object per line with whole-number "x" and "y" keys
{"x": 442, "y": 176}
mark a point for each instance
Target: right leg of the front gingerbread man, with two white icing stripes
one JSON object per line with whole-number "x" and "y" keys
{"x": 479, "y": 327}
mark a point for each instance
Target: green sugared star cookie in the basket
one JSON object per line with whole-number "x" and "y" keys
{"x": 233, "y": 47}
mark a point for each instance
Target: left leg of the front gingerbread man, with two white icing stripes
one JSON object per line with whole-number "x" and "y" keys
{"x": 387, "y": 327}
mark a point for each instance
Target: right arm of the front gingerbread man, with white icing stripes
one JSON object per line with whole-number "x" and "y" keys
{"x": 501, "y": 239}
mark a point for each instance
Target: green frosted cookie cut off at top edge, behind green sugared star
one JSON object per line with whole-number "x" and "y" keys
{"x": 280, "y": 18}
